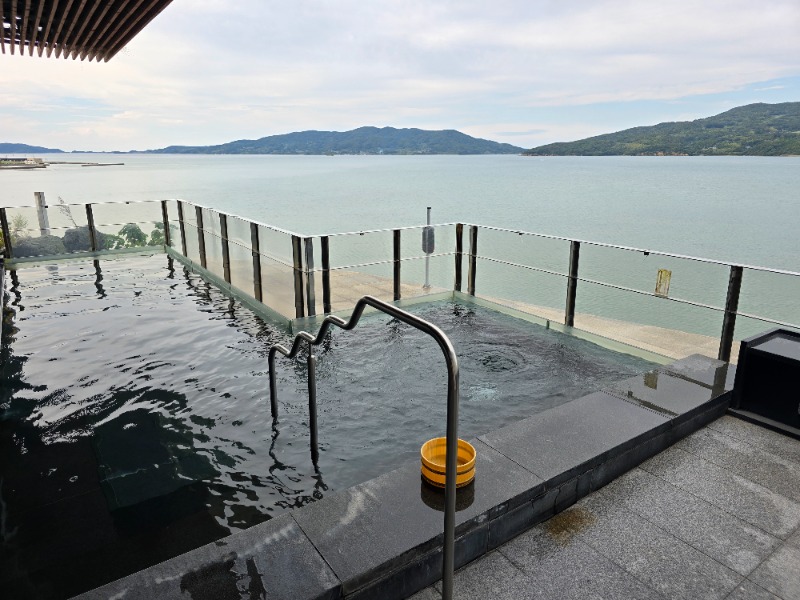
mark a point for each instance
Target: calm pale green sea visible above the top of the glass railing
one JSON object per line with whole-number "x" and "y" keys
{"x": 740, "y": 209}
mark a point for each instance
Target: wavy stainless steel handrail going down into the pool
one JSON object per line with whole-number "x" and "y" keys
{"x": 446, "y": 346}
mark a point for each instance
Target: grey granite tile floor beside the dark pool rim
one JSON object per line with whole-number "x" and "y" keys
{"x": 716, "y": 516}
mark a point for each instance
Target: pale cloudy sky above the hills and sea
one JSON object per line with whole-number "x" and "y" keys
{"x": 527, "y": 72}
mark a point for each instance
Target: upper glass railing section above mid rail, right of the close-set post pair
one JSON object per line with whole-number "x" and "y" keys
{"x": 530, "y": 250}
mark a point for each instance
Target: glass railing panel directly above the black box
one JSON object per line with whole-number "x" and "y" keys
{"x": 771, "y": 296}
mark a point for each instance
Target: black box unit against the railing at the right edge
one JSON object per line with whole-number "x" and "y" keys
{"x": 767, "y": 386}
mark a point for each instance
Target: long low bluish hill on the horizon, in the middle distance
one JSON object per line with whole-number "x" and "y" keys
{"x": 364, "y": 140}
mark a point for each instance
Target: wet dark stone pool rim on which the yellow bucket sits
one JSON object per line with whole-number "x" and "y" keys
{"x": 383, "y": 538}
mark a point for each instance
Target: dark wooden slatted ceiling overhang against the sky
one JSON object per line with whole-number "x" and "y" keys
{"x": 93, "y": 29}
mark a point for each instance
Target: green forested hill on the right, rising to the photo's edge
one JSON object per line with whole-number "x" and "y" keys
{"x": 752, "y": 130}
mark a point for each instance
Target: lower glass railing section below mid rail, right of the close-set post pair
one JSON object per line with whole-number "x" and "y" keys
{"x": 528, "y": 290}
